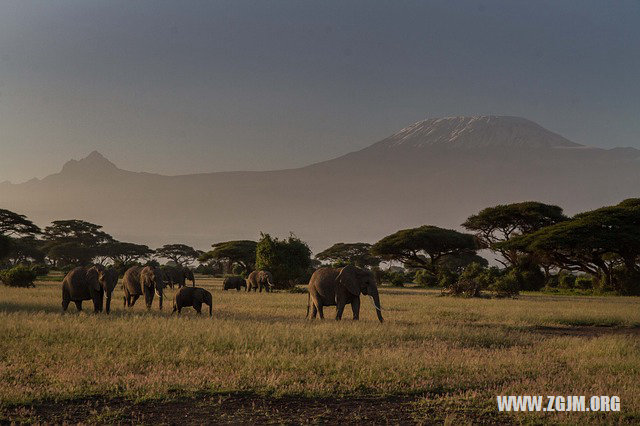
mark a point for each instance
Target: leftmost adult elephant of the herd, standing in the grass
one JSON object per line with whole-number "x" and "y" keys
{"x": 90, "y": 283}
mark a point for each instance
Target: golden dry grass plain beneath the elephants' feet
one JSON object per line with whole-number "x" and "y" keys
{"x": 258, "y": 360}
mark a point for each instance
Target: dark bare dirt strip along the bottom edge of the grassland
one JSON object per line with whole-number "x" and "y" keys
{"x": 223, "y": 409}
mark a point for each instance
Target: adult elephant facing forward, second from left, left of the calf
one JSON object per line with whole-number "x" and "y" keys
{"x": 139, "y": 280}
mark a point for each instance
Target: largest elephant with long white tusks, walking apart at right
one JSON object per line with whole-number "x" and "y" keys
{"x": 339, "y": 287}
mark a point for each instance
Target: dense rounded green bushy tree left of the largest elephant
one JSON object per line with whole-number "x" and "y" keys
{"x": 288, "y": 260}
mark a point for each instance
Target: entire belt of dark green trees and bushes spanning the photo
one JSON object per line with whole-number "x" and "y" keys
{"x": 536, "y": 245}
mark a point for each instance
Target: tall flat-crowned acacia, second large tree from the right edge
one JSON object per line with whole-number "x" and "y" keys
{"x": 497, "y": 224}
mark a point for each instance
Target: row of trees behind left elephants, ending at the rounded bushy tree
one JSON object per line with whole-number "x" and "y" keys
{"x": 27, "y": 251}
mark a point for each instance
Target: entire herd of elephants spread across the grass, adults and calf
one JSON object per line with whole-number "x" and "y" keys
{"x": 327, "y": 287}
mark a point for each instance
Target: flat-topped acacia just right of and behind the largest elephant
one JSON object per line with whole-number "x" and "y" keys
{"x": 424, "y": 247}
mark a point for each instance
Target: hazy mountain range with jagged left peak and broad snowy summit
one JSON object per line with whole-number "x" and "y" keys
{"x": 437, "y": 171}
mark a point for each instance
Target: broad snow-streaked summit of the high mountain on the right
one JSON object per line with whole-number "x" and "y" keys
{"x": 485, "y": 131}
